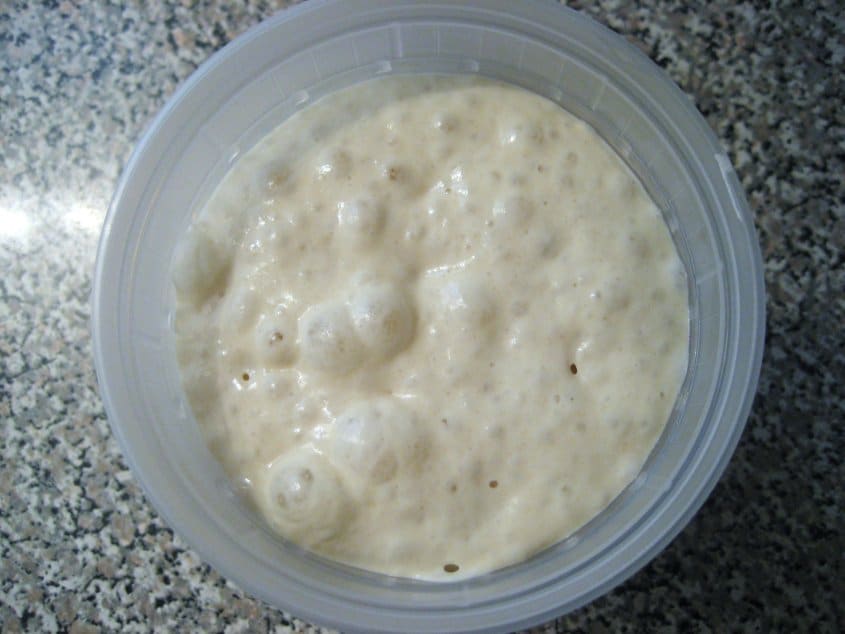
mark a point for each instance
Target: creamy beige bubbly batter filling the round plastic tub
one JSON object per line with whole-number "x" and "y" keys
{"x": 434, "y": 324}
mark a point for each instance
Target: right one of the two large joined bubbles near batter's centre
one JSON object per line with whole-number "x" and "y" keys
{"x": 384, "y": 319}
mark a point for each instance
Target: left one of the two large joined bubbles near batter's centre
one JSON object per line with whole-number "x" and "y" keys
{"x": 327, "y": 339}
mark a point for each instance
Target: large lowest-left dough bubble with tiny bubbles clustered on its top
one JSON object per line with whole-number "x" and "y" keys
{"x": 304, "y": 497}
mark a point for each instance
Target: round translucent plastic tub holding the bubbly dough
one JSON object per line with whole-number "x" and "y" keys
{"x": 282, "y": 65}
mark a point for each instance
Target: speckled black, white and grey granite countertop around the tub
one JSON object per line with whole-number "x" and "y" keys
{"x": 83, "y": 550}
